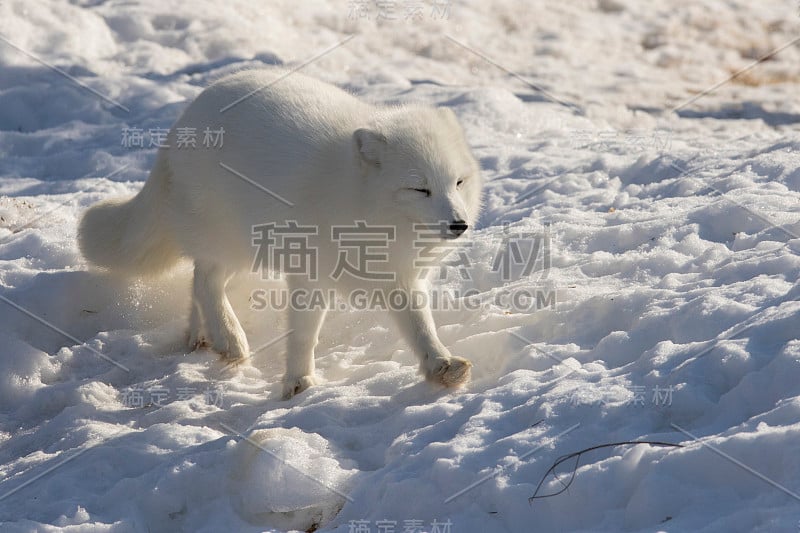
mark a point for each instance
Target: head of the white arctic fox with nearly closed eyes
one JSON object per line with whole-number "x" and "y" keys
{"x": 418, "y": 161}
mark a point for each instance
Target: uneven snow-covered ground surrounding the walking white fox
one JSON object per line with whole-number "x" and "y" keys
{"x": 672, "y": 204}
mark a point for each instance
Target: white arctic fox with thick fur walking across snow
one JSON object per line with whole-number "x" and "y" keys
{"x": 302, "y": 153}
